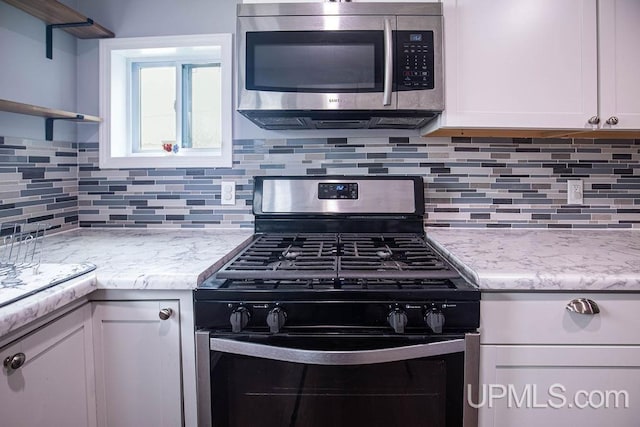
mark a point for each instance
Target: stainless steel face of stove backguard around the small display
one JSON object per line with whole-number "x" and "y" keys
{"x": 390, "y": 196}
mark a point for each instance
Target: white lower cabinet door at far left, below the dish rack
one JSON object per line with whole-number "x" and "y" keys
{"x": 54, "y": 386}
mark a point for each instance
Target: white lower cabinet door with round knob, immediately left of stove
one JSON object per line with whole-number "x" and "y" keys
{"x": 137, "y": 364}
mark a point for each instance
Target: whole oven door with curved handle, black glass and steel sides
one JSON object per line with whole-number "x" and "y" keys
{"x": 340, "y": 380}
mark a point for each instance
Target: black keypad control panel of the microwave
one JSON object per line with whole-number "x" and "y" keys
{"x": 414, "y": 60}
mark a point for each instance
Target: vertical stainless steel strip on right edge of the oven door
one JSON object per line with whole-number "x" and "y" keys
{"x": 471, "y": 379}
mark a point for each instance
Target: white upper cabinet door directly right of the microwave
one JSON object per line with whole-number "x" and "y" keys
{"x": 520, "y": 64}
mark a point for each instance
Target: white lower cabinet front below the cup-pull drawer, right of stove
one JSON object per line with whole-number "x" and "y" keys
{"x": 535, "y": 386}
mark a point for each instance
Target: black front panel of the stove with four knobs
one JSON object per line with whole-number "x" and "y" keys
{"x": 270, "y": 317}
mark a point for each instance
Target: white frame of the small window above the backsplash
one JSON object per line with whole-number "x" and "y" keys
{"x": 116, "y": 55}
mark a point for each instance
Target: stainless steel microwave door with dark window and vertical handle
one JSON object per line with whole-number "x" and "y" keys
{"x": 316, "y": 63}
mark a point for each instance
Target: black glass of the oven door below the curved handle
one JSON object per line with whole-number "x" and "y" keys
{"x": 250, "y": 392}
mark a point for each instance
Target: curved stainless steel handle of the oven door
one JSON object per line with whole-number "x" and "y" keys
{"x": 320, "y": 357}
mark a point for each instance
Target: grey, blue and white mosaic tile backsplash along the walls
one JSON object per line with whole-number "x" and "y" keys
{"x": 479, "y": 182}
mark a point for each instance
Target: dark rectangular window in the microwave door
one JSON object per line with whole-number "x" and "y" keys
{"x": 308, "y": 61}
